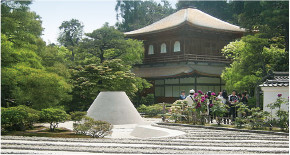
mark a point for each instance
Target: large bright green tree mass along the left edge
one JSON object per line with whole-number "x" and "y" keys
{"x": 25, "y": 80}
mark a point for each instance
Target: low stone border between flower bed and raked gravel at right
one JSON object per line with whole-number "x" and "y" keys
{"x": 228, "y": 129}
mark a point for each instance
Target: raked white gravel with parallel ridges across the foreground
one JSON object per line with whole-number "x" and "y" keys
{"x": 195, "y": 141}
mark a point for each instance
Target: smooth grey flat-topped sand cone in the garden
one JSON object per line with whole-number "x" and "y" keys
{"x": 114, "y": 107}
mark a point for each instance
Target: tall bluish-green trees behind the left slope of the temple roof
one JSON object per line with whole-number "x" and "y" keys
{"x": 132, "y": 15}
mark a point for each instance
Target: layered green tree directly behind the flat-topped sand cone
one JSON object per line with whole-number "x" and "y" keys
{"x": 111, "y": 75}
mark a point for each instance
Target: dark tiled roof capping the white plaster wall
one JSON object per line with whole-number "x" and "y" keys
{"x": 278, "y": 79}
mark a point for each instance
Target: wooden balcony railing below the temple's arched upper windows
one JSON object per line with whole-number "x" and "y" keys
{"x": 187, "y": 58}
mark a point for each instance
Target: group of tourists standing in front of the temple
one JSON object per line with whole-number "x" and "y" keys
{"x": 231, "y": 100}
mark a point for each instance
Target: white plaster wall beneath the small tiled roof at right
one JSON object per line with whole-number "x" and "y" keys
{"x": 271, "y": 95}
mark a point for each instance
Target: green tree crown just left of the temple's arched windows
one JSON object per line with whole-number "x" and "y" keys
{"x": 107, "y": 43}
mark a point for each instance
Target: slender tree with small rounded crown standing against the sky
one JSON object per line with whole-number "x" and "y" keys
{"x": 70, "y": 35}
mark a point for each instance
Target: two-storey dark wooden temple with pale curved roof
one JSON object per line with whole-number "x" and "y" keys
{"x": 183, "y": 52}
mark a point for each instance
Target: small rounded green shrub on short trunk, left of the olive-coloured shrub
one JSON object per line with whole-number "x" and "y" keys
{"x": 53, "y": 116}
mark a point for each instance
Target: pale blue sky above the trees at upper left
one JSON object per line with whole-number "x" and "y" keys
{"x": 92, "y": 13}
